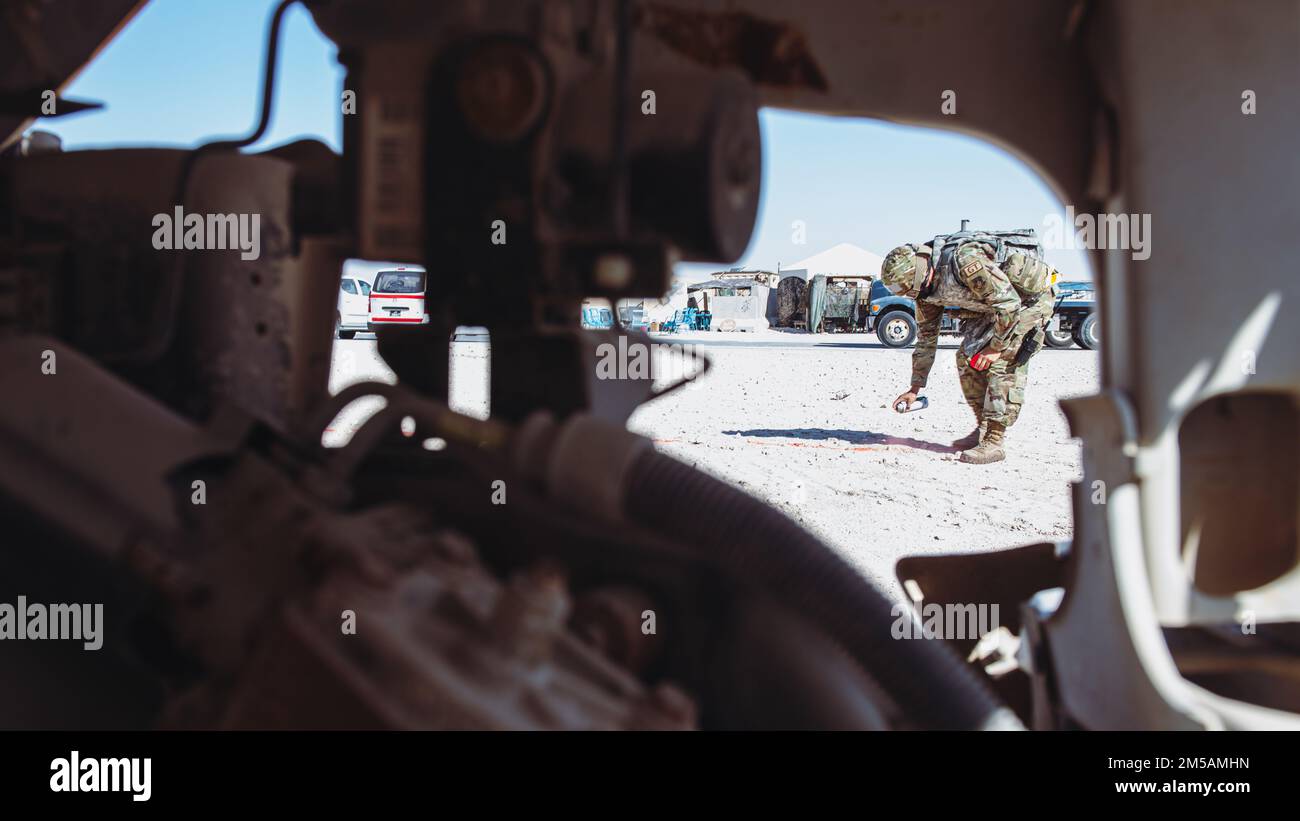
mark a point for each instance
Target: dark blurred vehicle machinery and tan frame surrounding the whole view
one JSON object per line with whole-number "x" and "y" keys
{"x": 163, "y": 410}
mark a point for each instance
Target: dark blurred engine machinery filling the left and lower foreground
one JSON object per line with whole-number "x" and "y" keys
{"x": 544, "y": 568}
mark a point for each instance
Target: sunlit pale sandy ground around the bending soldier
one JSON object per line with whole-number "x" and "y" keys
{"x": 805, "y": 424}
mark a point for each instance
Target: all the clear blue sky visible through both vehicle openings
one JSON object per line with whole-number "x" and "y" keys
{"x": 188, "y": 71}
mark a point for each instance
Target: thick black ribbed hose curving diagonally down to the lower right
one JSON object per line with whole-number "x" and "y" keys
{"x": 931, "y": 683}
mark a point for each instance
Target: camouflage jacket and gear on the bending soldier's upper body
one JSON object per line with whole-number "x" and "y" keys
{"x": 1020, "y": 296}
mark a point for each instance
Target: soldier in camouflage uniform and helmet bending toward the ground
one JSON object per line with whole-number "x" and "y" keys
{"x": 1000, "y": 306}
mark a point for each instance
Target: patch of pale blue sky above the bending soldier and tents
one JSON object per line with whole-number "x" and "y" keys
{"x": 881, "y": 185}
